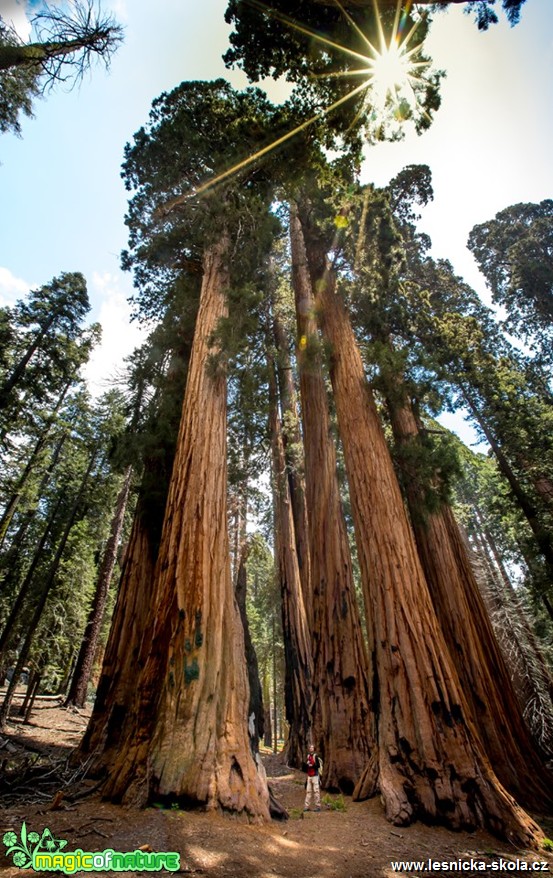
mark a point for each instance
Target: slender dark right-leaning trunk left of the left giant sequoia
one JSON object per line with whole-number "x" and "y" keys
{"x": 83, "y": 668}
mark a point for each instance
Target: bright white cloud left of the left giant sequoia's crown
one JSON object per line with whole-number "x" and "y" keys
{"x": 119, "y": 336}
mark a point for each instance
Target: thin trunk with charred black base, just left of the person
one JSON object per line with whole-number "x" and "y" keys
{"x": 298, "y": 664}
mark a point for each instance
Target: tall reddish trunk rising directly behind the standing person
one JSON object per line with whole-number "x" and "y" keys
{"x": 343, "y": 729}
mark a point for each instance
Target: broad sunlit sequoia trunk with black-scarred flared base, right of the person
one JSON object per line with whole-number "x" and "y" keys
{"x": 430, "y": 762}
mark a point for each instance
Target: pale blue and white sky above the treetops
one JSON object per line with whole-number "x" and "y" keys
{"x": 62, "y": 201}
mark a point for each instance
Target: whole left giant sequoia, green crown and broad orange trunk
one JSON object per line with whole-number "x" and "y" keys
{"x": 184, "y": 727}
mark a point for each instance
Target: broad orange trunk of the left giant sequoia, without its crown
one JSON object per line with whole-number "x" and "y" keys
{"x": 187, "y": 736}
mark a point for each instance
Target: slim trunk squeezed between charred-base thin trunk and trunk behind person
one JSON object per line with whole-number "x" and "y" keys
{"x": 295, "y": 466}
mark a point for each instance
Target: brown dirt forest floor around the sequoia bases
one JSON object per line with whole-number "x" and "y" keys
{"x": 356, "y": 842}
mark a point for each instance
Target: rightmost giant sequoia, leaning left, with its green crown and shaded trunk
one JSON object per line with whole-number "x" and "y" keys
{"x": 453, "y": 587}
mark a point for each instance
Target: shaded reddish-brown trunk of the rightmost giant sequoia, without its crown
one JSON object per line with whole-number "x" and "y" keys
{"x": 461, "y": 612}
